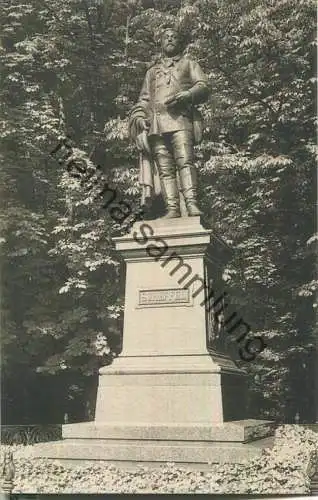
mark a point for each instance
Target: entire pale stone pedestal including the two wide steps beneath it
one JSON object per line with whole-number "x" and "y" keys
{"x": 170, "y": 396}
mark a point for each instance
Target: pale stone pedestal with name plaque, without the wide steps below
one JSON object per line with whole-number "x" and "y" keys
{"x": 165, "y": 373}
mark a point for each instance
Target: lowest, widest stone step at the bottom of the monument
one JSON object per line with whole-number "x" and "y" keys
{"x": 136, "y": 451}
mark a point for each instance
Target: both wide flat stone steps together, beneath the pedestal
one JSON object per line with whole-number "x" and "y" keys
{"x": 186, "y": 445}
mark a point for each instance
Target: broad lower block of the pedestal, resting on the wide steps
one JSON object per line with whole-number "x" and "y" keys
{"x": 170, "y": 390}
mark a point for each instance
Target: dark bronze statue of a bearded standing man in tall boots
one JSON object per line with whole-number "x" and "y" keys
{"x": 165, "y": 123}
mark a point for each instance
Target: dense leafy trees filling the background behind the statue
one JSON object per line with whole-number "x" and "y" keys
{"x": 75, "y": 67}
